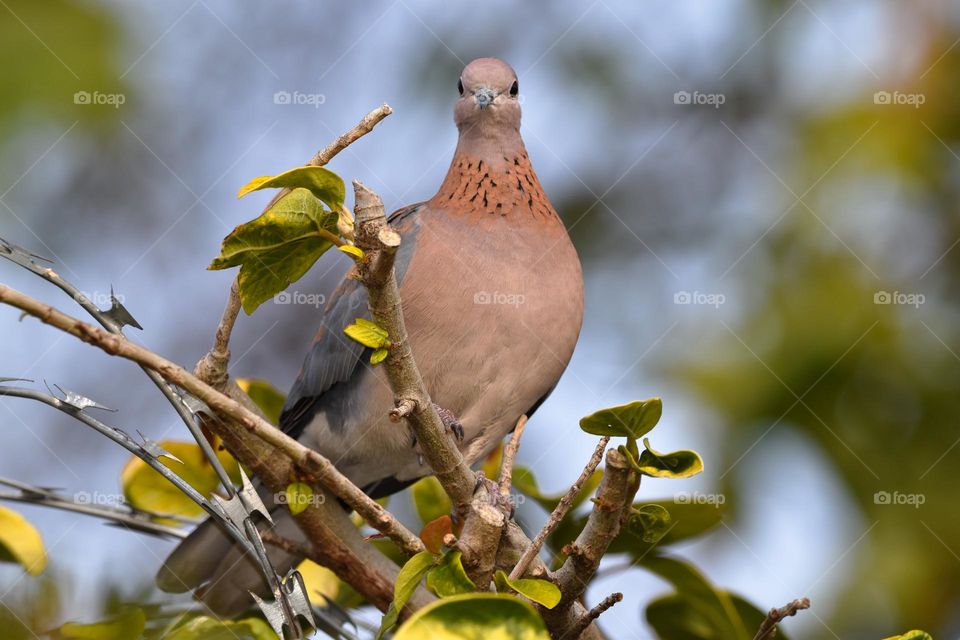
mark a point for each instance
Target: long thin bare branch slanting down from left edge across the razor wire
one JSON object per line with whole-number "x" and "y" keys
{"x": 302, "y": 456}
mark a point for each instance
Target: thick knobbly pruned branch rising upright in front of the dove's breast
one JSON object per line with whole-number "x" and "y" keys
{"x": 380, "y": 244}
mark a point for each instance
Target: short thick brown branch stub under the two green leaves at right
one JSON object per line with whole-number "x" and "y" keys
{"x": 603, "y": 525}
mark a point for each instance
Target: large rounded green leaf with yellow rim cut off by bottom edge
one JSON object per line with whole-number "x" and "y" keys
{"x": 475, "y": 616}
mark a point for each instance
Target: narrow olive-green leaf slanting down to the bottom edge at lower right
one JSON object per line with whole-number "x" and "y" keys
{"x": 714, "y": 608}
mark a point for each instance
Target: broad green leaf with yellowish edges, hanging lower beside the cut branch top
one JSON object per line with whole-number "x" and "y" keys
{"x": 277, "y": 247}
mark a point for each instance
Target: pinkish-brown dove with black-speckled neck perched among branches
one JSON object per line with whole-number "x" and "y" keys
{"x": 492, "y": 295}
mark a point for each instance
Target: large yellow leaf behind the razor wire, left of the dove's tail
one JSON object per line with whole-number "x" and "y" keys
{"x": 146, "y": 489}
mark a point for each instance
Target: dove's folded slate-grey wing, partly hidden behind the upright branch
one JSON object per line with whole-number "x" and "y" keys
{"x": 334, "y": 357}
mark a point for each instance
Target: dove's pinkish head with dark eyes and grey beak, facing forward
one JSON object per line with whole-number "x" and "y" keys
{"x": 489, "y": 94}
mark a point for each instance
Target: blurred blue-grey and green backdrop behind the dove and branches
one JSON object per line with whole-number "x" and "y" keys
{"x": 763, "y": 194}
